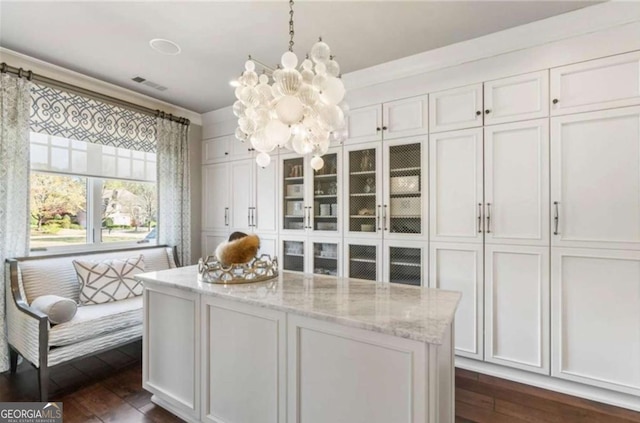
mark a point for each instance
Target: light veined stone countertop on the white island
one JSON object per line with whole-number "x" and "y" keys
{"x": 420, "y": 314}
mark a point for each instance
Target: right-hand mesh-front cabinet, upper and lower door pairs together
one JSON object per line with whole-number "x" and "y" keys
{"x": 386, "y": 198}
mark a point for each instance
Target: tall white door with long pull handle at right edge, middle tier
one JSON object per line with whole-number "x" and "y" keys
{"x": 595, "y": 179}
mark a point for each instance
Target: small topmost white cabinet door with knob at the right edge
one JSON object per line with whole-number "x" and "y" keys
{"x": 596, "y": 84}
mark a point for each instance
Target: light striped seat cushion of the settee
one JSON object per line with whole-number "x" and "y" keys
{"x": 94, "y": 320}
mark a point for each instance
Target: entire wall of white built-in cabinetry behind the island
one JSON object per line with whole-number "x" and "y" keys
{"x": 527, "y": 192}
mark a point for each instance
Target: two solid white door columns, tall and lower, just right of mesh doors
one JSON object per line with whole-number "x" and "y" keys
{"x": 493, "y": 200}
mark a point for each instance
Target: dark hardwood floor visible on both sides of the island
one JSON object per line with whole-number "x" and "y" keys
{"x": 108, "y": 388}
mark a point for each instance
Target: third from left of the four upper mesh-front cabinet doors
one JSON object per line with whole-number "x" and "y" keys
{"x": 364, "y": 209}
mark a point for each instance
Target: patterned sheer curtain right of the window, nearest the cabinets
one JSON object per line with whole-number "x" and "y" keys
{"x": 174, "y": 223}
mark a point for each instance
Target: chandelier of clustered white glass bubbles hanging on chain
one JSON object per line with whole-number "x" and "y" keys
{"x": 296, "y": 108}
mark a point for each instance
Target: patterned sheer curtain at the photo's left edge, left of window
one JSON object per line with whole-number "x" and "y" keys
{"x": 15, "y": 105}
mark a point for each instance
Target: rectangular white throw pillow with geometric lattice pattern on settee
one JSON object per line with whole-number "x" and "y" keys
{"x": 109, "y": 280}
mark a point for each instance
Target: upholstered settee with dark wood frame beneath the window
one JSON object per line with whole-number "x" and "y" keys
{"x": 94, "y": 328}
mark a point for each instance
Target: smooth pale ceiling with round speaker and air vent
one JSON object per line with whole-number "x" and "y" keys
{"x": 110, "y": 40}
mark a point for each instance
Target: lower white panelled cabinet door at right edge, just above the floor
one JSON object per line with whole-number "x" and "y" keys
{"x": 596, "y": 317}
